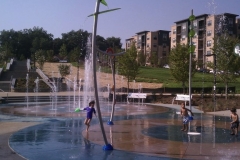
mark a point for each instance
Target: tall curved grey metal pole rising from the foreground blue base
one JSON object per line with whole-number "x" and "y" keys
{"x": 94, "y": 70}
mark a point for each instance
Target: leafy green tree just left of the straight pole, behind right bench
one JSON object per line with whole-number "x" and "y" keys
{"x": 179, "y": 64}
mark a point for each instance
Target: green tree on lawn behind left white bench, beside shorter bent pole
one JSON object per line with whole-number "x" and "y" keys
{"x": 128, "y": 65}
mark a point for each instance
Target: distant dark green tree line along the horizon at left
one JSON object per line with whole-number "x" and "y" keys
{"x": 27, "y": 43}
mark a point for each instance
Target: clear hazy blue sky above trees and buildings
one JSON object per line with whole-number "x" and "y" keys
{"x": 62, "y": 16}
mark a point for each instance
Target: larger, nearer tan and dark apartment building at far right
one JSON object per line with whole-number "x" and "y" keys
{"x": 206, "y": 27}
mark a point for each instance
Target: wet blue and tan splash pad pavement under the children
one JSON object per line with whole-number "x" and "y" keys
{"x": 139, "y": 132}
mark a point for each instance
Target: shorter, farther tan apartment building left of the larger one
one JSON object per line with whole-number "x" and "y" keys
{"x": 150, "y": 42}
